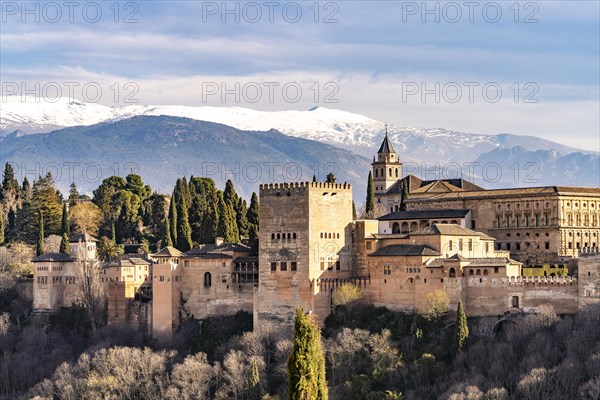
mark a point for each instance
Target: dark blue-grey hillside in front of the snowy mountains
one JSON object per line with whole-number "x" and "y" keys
{"x": 162, "y": 148}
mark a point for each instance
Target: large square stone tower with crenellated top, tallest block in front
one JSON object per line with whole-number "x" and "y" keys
{"x": 305, "y": 249}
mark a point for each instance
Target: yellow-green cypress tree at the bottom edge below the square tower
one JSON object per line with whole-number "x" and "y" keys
{"x": 306, "y": 364}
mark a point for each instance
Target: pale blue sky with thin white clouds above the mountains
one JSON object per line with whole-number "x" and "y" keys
{"x": 373, "y": 52}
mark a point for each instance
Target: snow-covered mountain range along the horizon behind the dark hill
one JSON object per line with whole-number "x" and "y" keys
{"x": 419, "y": 148}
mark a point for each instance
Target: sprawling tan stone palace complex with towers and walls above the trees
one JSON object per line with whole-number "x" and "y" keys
{"x": 455, "y": 236}
